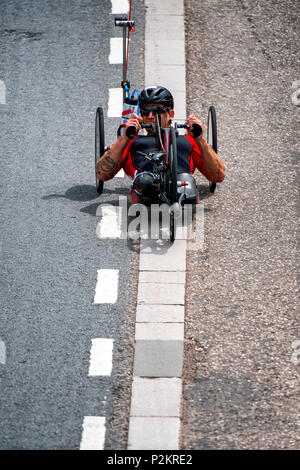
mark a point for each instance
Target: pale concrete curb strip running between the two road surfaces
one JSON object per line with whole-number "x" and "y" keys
{"x": 155, "y": 414}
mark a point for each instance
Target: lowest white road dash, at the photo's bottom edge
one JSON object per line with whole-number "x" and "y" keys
{"x": 93, "y": 435}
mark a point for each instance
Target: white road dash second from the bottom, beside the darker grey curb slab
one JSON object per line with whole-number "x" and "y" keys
{"x": 101, "y": 356}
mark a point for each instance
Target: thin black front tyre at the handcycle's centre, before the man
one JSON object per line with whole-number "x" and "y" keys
{"x": 172, "y": 179}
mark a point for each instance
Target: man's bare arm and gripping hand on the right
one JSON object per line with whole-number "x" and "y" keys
{"x": 213, "y": 167}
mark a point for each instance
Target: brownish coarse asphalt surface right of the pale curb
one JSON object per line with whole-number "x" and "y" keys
{"x": 242, "y": 378}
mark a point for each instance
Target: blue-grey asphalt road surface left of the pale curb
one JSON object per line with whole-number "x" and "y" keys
{"x": 54, "y": 62}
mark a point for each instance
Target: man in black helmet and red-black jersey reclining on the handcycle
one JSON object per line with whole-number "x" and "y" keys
{"x": 161, "y": 163}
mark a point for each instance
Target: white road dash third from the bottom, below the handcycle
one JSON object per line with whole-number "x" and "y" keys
{"x": 106, "y": 291}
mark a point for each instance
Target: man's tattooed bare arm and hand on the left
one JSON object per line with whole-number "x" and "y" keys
{"x": 110, "y": 162}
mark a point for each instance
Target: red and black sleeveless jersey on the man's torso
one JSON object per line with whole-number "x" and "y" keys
{"x": 188, "y": 155}
